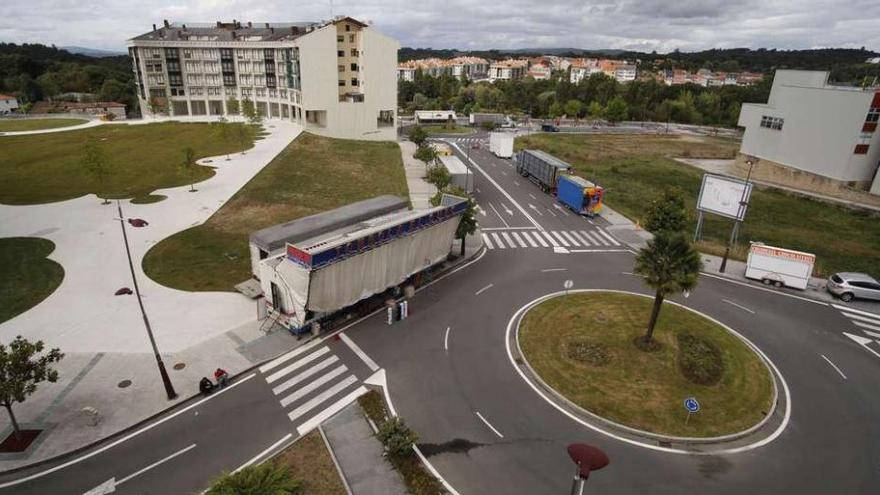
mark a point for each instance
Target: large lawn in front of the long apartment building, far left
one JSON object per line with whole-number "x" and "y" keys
{"x": 142, "y": 158}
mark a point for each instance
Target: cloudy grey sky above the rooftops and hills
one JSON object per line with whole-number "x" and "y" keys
{"x": 644, "y": 25}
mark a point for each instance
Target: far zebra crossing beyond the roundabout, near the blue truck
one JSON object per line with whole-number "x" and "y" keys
{"x": 516, "y": 239}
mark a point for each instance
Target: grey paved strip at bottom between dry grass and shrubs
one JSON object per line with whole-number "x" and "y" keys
{"x": 361, "y": 455}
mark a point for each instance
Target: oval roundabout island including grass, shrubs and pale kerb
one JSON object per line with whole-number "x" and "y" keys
{"x": 582, "y": 349}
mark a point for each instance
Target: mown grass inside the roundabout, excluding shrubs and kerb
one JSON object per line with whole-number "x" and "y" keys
{"x": 644, "y": 390}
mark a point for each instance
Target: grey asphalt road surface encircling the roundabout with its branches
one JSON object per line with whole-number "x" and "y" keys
{"x": 481, "y": 425}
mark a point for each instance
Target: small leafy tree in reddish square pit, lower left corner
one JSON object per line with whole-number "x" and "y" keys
{"x": 22, "y": 368}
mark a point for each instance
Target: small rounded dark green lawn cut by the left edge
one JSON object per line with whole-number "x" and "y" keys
{"x": 26, "y": 276}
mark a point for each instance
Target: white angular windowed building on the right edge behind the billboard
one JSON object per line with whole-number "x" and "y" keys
{"x": 814, "y": 135}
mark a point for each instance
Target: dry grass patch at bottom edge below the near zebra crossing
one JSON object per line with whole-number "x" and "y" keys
{"x": 311, "y": 463}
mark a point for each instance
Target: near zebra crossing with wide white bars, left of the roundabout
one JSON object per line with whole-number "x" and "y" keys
{"x": 312, "y": 383}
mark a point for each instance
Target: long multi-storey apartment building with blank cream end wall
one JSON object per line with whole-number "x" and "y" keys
{"x": 334, "y": 78}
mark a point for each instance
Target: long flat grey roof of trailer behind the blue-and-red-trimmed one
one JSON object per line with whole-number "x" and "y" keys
{"x": 301, "y": 229}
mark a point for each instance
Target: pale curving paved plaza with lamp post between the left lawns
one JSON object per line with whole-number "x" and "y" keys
{"x": 108, "y": 363}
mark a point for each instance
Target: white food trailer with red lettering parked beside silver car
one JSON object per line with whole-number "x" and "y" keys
{"x": 779, "y": 266}
